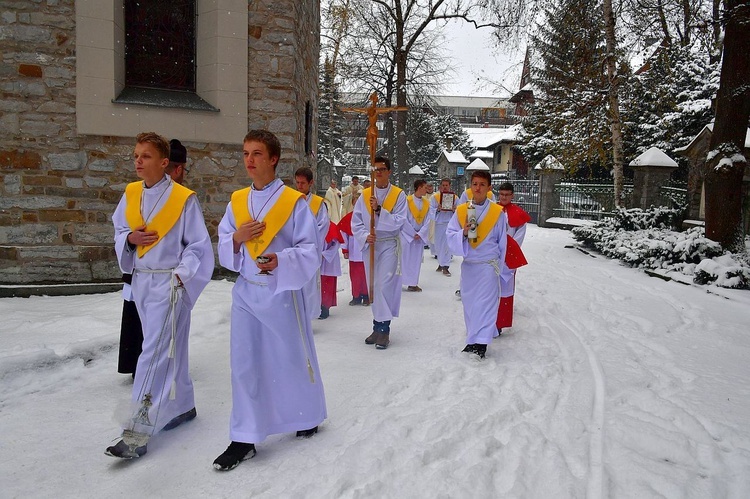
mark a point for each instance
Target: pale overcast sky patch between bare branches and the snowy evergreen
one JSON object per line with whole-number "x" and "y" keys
{"x": 471, "y": 53}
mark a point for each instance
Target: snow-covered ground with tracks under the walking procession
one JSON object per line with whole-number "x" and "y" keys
{"x": 611, "y": 384}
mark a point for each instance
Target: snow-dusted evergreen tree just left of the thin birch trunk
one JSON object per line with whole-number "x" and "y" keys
{"x": 570, "y": 117}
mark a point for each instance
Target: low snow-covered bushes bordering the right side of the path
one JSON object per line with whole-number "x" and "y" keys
{"x": 647, "y": 239}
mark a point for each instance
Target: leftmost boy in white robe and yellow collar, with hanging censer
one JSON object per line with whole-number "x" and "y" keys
{"x": 160, "y": 238}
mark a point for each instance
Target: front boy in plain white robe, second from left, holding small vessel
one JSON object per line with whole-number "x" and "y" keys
{"x": 268, "y": 235}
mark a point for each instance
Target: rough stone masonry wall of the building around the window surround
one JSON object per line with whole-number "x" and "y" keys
{"x": 58, "y": 189}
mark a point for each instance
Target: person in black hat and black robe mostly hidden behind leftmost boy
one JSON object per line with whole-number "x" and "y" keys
{"x": 131, "y": 331}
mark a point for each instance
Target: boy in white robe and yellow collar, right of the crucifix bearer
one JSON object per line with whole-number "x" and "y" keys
{"x": 482, "y": 261}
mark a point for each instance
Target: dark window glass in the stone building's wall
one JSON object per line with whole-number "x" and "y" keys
{"x": 160, "y": 44}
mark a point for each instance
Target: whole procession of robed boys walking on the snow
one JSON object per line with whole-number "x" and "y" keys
{"x": 284, "y": 246}
